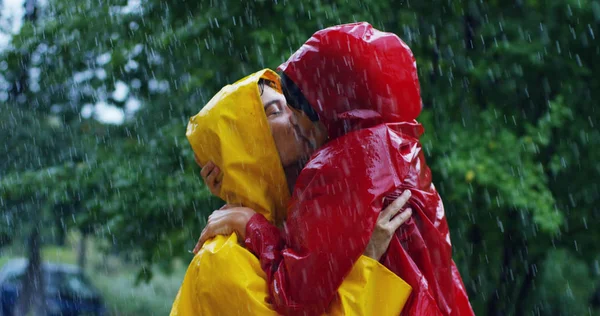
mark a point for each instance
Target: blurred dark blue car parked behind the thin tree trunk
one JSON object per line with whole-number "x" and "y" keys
{"x": 68, "y": 290}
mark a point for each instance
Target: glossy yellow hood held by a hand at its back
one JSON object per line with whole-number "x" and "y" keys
{"x": 232, "y": 131}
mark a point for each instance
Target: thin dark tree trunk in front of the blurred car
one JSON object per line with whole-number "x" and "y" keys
{"x": 32, "y": 296}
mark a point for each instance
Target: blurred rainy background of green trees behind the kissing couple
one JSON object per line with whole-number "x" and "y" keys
{"x": 97, "y": 177}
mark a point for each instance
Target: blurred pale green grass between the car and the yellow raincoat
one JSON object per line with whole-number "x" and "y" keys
{"x": 115, "y": 279}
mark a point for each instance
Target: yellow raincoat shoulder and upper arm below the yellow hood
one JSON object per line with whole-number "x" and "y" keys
{"x": 223, "y": 279}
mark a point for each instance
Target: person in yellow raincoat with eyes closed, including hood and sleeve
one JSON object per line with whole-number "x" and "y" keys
{"x": 234, "y": 132}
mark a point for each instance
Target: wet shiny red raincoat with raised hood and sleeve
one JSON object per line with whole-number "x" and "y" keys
{"x": 363, "y": 85}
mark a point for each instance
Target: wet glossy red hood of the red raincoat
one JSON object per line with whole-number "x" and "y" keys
{"x": 355, "y": 76}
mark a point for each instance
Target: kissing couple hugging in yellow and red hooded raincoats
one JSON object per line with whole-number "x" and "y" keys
{"x": 330, "y": 205}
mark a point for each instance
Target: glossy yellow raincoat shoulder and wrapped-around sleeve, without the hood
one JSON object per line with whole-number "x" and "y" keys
{"x": 226, "y": 279}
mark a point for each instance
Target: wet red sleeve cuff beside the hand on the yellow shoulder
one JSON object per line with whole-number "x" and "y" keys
{"x": 264, "y": 240}
